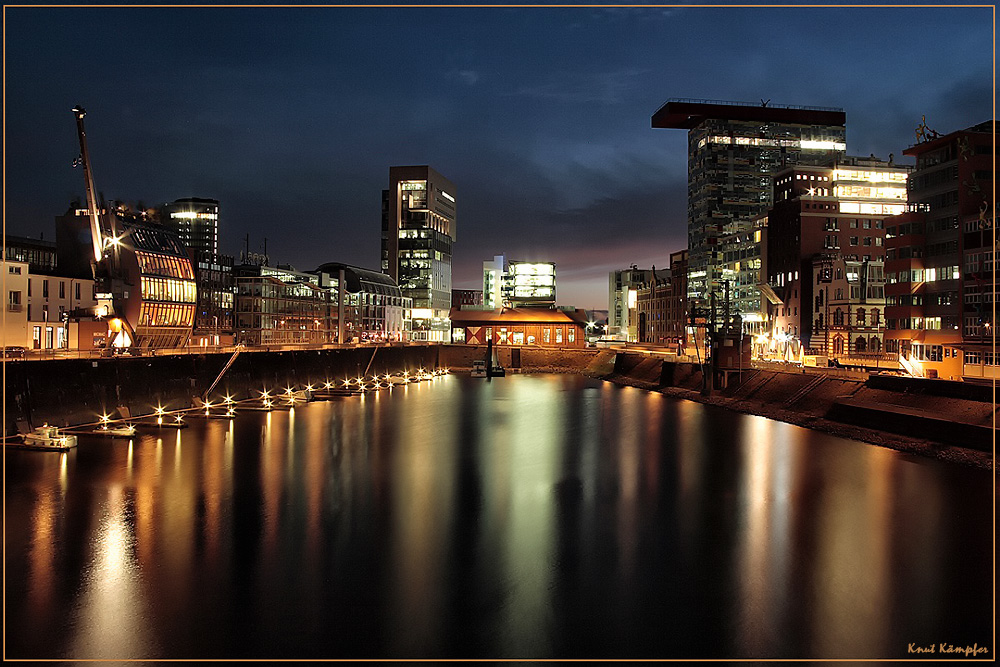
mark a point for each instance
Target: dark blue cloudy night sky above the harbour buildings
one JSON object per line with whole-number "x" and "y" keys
{"x": 292, "y": 117}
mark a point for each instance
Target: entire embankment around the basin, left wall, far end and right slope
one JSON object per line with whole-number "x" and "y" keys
{"x": 946, "y": 420}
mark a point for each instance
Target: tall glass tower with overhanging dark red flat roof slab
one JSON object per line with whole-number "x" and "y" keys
{"x": 733, "y": 150}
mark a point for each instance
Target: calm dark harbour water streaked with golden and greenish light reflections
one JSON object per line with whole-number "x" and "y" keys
{"x": 528, "y": 517}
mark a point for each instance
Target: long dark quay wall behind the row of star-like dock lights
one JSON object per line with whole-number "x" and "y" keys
{"x": 77, "y": 391}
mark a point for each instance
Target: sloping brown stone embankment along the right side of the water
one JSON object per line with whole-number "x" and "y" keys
{"x": 945, "y": 420}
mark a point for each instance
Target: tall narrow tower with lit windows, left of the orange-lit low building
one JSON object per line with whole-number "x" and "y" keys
{"x": 418, "y": 230}
